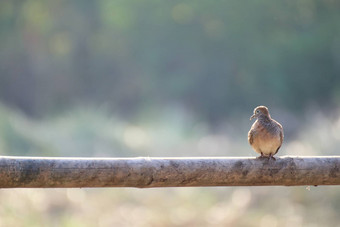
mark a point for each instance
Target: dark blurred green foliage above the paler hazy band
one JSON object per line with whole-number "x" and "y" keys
{"x": 139, "y": 55}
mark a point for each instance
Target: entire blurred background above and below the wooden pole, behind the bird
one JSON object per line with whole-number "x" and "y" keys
{"x": 168, "y": 78}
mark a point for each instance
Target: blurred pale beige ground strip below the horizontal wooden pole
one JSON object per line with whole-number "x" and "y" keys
{"x": 236, "y": 206}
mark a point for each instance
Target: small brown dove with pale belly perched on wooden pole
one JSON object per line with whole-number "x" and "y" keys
{"x": 265, "y": 135}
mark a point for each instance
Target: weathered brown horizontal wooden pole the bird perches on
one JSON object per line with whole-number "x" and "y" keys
{"x": 33, "y": 172}
